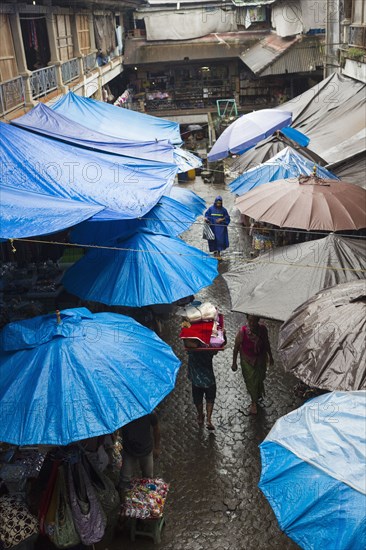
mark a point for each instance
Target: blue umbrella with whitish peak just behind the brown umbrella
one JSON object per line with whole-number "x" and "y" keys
{"x": 286, "y": 164}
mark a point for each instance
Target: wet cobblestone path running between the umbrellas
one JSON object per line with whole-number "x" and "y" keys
{"x": 214, "y": 502}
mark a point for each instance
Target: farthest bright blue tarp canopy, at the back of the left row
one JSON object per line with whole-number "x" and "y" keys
{"x": 117, "y": 121}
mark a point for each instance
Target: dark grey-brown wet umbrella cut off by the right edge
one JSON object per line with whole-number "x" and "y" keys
{"x": 323, "y": 342}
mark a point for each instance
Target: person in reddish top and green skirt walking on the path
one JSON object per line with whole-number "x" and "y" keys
{"x": 253, "y": 345}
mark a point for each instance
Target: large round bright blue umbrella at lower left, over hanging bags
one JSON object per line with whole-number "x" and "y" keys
{"x": 84, "y": 376}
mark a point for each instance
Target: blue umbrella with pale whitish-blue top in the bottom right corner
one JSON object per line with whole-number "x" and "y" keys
{"x": 313, "y": 472}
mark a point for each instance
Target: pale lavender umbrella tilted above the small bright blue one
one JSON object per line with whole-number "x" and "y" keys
{"x": 247, "y": 131}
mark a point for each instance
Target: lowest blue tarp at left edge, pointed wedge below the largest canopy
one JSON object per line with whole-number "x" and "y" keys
{"x": 27, "y": 214}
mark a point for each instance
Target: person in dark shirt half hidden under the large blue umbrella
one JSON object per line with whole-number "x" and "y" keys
{"x": 141, "y": 444}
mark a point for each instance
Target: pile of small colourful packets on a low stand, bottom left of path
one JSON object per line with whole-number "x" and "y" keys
{"x": 145, "y": 499}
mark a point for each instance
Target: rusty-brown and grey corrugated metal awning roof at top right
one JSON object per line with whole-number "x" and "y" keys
{"x": 274, "y": 55}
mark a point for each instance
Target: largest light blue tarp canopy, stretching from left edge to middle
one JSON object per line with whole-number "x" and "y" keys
{"x": 35, "y": 163}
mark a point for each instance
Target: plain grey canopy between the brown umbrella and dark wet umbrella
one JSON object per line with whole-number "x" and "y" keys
{"x": 277, "y": 282}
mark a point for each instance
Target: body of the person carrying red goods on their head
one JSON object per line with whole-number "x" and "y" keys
{"x": 202, "y": 376}
